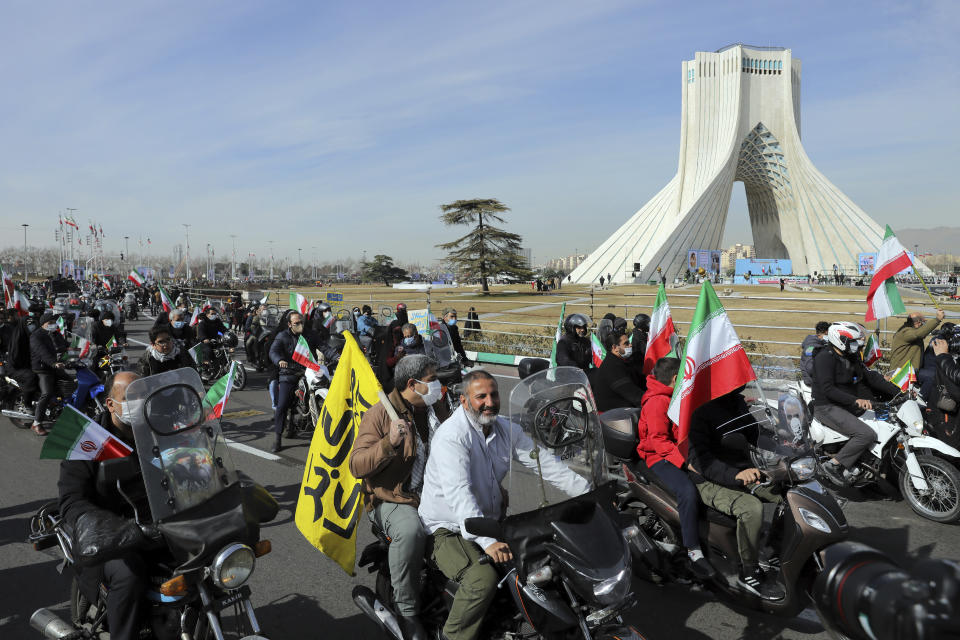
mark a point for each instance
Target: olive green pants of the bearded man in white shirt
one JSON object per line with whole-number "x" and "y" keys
{"x": 457, "y": 559}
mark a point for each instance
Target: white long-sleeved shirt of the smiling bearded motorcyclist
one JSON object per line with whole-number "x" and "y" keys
{"x": 465, "y": 469}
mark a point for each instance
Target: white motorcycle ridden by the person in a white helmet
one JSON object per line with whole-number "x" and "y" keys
{"x": 904, "y": 453}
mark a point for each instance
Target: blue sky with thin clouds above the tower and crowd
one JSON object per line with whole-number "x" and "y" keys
{"x": 344, "y": 126}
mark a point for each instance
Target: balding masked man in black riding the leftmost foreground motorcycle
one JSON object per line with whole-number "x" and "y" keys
{"x": 82, "y": 506}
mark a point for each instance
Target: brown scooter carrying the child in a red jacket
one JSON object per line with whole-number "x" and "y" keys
{"x": 804, "y": 522}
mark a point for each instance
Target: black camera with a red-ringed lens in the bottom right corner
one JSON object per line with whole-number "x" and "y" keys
{"x": 861, "y": 593}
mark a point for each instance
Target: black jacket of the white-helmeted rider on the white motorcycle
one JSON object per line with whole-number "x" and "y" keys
{"x": 841, "y": 381}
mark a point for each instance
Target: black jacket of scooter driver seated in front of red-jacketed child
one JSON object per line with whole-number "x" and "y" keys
{"x": 708, "y": 424}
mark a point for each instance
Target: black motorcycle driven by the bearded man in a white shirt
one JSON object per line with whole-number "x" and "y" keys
{"x": 570, "y": 576}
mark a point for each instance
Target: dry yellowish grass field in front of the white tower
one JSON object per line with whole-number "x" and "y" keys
{"x": 519, "y": 323}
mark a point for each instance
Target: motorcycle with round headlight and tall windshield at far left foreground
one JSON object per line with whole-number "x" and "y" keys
{"x": 204, "y": 521}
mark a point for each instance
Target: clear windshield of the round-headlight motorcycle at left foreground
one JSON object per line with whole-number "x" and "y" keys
{"x": 185, "y": 460}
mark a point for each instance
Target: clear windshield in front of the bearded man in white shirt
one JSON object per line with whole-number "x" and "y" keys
{"x": 557, "y": 441}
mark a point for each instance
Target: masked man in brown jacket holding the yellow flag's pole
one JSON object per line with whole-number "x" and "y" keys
{"x": 390, "y": 457}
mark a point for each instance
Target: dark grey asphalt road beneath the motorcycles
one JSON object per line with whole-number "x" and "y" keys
{"x": 299, "y": 593}
